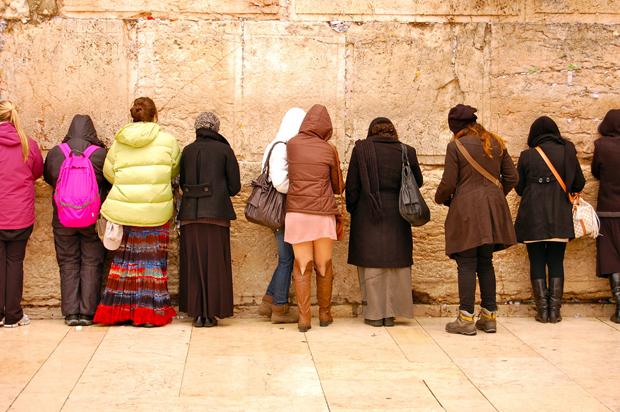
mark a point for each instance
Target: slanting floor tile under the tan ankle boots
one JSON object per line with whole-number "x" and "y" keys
{"x": 514, "y": 379}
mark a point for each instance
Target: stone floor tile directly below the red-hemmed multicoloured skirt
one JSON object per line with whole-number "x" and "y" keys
{"x": 134, "y": 364}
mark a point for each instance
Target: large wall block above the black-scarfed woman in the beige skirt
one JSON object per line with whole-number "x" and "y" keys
{"x": 413, "y": 74}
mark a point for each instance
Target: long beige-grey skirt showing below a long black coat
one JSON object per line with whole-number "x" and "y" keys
{"x": 386, "y": 292}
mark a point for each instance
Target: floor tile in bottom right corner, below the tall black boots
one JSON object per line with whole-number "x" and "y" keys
{"x": 562, "y": 344}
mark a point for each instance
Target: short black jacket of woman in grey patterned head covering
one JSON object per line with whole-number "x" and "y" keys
{"x": 209, "y": 177}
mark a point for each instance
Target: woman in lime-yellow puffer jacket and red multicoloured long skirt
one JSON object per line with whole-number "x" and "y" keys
{"x": 140, "y": 166}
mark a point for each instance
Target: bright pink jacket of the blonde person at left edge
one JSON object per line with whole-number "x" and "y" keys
{"x": 17, "y": 179}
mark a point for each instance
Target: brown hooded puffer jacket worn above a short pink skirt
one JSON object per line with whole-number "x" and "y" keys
{"x": 313, "y": 166}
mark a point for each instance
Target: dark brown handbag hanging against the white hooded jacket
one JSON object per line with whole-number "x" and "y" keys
{"x": 266, "y": 206}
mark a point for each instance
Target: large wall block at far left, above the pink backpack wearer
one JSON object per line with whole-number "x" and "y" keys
{"x": 65, "y": 67}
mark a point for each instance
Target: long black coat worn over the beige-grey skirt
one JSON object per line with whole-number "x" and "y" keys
{"x": 386, "y": 243}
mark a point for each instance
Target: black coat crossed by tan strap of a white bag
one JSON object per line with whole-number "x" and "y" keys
{"x": 545, "y": 212}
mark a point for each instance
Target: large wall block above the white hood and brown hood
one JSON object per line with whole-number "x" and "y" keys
{"x": 288, "y": 65}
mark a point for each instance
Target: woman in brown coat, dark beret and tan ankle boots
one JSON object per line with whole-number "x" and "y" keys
{"x": 478, "y": 175}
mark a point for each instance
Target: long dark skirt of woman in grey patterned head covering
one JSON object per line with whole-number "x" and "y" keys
{"x": 206, "y": 271}
